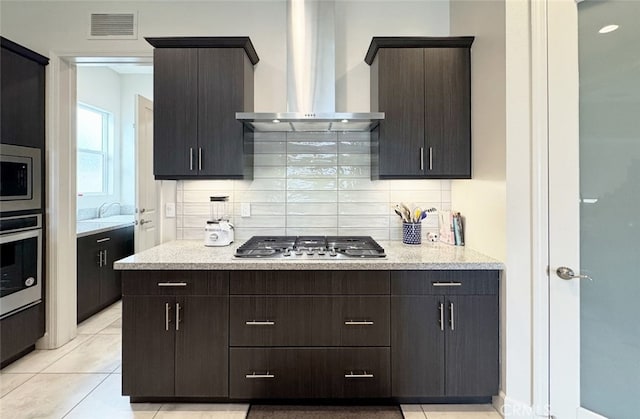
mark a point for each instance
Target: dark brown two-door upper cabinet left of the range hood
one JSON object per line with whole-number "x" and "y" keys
{"x": 199, "y": 84}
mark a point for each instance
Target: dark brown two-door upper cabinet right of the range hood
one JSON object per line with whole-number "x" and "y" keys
{"x": 423, "y": 85}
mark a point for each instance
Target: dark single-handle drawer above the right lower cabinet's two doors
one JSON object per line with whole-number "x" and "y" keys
{"x": 444, "y": 282}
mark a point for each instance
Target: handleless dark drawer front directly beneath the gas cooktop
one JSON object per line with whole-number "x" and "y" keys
{"x": 310, "y": 282}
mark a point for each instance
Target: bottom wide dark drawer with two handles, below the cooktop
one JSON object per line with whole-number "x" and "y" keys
{"x": 309, "y": 373}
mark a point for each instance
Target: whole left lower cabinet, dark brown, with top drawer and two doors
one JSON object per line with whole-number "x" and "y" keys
{"x": 175, "y": 334}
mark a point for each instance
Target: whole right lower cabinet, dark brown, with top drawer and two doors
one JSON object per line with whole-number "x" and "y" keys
{"x": 444, "y": 343}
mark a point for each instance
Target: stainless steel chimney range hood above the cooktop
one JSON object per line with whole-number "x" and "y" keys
{"x": 310, "y": 78}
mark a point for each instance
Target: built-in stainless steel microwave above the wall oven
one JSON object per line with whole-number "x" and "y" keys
{"x": 20, "y": 178}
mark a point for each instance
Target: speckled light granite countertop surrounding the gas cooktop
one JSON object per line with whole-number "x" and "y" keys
{"x": 193, "y": 255}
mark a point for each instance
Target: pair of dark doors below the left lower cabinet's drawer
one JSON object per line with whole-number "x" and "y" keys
{"x": 175, "y": 346}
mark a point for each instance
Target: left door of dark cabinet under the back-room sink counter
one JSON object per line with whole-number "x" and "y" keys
{"x": 88, "y": 277}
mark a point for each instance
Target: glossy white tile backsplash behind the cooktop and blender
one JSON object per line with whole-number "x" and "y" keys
{"x": 311, "y": 184}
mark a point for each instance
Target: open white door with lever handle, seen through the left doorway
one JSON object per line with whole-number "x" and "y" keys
{"x": 147, "y": 188}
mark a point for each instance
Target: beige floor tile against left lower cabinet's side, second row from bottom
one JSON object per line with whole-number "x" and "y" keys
{"x": 101, "y": 354}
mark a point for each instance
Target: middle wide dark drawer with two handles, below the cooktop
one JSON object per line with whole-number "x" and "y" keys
{"x": 309, "y": 321}
